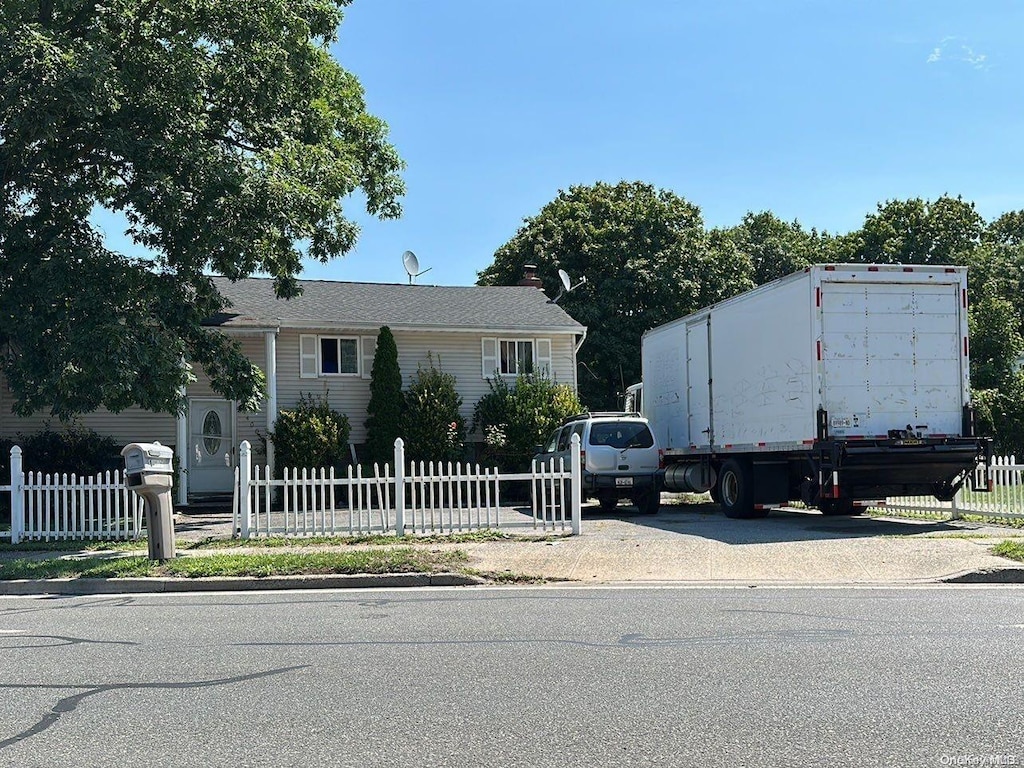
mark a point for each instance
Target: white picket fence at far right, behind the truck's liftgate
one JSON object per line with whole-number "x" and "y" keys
{"x": 1005, "y": 500}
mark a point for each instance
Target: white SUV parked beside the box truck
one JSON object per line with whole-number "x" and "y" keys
{"x": 619, "y": 456}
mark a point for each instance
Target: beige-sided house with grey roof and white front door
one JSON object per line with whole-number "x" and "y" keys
{"x": 323, "y": 344}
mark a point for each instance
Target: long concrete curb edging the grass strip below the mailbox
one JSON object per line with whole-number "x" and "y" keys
{"x": 233, "y": 584}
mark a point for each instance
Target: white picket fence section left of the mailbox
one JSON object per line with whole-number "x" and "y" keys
{"x": 46, "y": 507}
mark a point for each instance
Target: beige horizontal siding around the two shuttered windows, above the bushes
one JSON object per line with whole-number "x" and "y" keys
{"x": 457, "y": 354}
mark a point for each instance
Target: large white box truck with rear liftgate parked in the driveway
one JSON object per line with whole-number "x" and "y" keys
{"x": 835, "y": 386}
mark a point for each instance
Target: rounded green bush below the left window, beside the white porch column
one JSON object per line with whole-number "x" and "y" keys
{"x": 311, "y": 436}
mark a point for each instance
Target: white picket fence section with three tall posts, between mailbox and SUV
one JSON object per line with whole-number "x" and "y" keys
{"x": 424, "y": 498}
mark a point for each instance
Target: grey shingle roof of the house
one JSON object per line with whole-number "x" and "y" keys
{"x": 356, "y": 306}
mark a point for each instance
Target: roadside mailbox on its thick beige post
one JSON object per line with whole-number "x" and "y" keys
{"x": 150, "y": 473}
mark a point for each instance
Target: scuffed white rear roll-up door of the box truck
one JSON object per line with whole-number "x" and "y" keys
{"x": 891, "y": 356}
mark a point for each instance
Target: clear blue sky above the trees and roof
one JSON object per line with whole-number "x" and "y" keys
{"x": 815, "y": 110}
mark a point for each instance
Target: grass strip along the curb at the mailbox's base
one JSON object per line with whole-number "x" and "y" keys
{"x": 393, "y": 561}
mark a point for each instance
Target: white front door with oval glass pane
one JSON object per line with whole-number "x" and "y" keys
{"x": 211, "y": 438}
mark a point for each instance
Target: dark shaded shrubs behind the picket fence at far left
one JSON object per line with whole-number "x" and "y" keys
{"x": 77, "y": 451}
